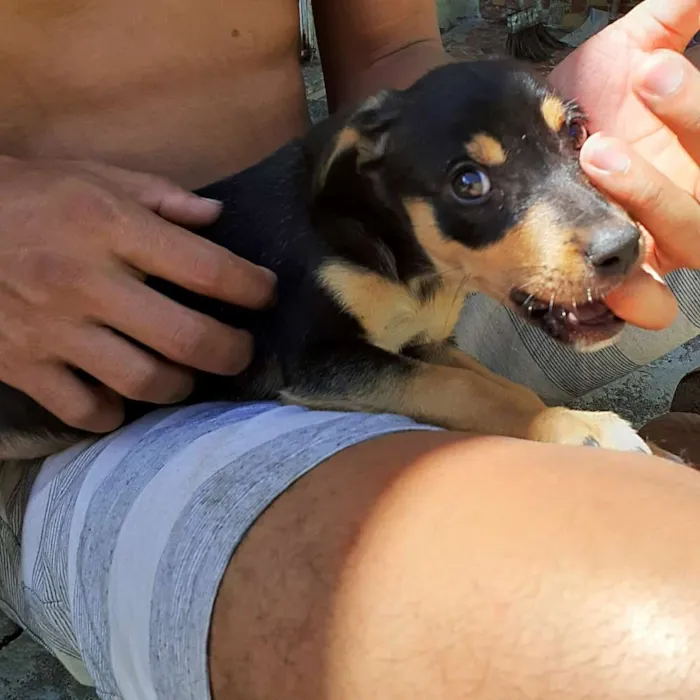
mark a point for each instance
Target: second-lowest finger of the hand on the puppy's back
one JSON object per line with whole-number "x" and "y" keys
{"x": 121, "y": 366}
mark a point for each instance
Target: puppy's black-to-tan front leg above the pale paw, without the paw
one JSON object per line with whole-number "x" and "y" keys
{"x": 358, "y": 376}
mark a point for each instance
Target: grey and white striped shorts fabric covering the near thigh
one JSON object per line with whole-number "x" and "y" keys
{"x": 112, "y": 552}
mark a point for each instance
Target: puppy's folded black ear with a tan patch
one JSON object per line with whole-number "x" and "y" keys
{"x": 358, "y": 141}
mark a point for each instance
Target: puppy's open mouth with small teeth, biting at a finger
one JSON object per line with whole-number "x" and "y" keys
{"x": 586, "y": 326}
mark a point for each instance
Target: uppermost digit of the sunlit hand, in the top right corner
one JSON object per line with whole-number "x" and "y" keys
{"x": 662, "y": 24}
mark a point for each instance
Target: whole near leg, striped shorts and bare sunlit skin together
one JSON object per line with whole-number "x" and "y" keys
{"x": 123, "y": 550}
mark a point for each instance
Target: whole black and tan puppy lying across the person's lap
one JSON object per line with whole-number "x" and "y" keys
{"x": 378, "y": 224}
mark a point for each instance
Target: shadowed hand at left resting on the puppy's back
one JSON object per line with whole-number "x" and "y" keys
{"x": 76, "y": 242}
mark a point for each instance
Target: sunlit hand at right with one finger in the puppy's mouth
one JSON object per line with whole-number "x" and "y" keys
{"x": 653, "y": 142}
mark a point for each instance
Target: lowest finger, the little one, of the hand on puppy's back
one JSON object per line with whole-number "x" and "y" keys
{"x": 72, "y": 401}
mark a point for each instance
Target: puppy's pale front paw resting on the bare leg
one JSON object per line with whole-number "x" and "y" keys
{"x": 586, "y": 428}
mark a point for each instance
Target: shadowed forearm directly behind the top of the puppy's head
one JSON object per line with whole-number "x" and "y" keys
{"x": 398, "y": 69}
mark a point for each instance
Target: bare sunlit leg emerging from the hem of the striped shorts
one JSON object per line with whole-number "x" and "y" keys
{"x": 432, "y": 566}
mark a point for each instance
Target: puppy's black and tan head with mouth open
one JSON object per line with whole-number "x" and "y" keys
{"x": 479, "y": 164}
